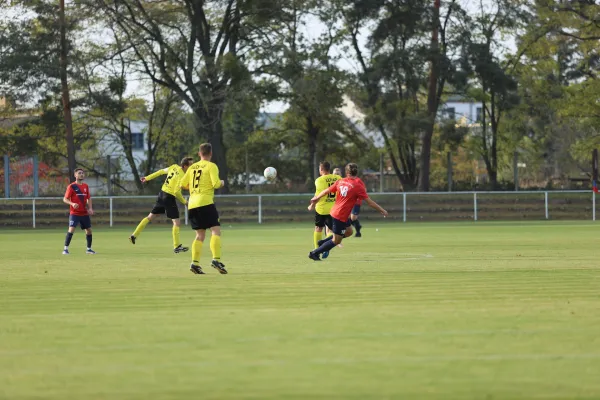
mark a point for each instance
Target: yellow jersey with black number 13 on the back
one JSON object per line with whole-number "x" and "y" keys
{"x": 202, "y": 178}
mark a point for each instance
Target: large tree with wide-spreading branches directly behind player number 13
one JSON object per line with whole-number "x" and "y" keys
{"x": 197, "y": 48}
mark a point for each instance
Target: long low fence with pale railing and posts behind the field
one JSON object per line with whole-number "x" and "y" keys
{"x": 273, "y": 208}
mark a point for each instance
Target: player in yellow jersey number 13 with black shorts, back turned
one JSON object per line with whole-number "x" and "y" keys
{"x": 201, "y": 179}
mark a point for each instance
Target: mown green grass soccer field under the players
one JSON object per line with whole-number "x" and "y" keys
{"x": 413, "y": 311}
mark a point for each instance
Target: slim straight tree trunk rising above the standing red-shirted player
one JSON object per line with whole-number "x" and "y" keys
{"x": 65, "y": 93}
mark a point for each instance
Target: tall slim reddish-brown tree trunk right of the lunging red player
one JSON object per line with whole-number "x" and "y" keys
{"x": 432, "y": 103}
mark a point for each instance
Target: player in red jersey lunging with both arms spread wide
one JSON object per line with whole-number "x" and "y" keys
{"x": 349, "y": 190}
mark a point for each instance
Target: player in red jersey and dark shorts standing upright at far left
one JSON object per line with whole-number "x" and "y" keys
{"x": 78, "y": 198}
